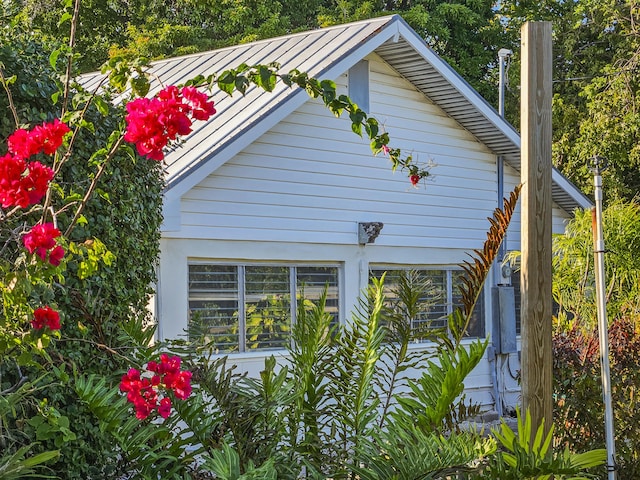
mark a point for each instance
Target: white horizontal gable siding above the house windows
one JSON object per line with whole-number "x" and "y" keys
{"x": 310, "y": 177}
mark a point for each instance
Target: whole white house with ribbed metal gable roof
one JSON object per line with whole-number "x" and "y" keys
{"x": 275, "y": 187}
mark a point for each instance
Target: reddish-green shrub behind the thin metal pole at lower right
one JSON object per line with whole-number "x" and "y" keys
{"x": 578, "y": 407}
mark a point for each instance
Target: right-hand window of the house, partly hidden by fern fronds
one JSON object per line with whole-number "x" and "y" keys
{"x": 442, "y": 296}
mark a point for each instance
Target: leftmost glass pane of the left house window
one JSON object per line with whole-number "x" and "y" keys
{"x": 213, "y": 305}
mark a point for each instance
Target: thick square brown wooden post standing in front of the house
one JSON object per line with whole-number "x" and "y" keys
{"x": 536, "y": 306}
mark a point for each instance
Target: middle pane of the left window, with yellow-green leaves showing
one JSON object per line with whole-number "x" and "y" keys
{"x": 267, "y": 304}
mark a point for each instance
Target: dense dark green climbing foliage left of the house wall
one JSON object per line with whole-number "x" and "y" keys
{"x": 106, "y": 281}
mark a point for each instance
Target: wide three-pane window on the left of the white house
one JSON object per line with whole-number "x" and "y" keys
{"x": 242, "y": 308}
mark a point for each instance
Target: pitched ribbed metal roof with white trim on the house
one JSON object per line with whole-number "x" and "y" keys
{"x": 326, "y": 53}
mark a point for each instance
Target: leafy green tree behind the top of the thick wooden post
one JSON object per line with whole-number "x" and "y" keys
{"x": 596, "y": 86}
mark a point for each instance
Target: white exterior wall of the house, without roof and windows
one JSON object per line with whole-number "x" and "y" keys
{"x": 297, "y": 194}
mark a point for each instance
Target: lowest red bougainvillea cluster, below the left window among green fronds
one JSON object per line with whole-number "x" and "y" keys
{"x": 143, "y": 391}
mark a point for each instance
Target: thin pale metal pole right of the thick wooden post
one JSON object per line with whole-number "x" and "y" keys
{"x": 599, "y": 164}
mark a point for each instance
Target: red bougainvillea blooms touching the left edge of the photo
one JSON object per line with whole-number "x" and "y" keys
{"x": 24, "y": 183}
